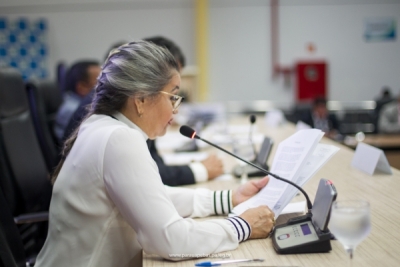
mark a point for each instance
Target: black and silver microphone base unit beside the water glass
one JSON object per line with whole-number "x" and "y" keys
{"x": 308, "y": 233}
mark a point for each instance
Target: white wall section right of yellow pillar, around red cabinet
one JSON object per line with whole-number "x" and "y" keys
{"x": 240, "y": 48}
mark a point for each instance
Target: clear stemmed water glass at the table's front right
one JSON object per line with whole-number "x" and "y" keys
{"x": 350, "y": 223}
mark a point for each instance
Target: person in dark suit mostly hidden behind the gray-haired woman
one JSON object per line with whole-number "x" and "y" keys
{"x": 194, "y": 172}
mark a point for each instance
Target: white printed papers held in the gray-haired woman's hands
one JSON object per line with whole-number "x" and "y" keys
{"x": 290, "y": 157}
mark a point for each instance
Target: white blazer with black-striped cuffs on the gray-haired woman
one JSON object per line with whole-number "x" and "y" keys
{"x": 109, "y": 203}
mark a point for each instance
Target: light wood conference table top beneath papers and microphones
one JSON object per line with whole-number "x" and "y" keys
{"x": 380, "y": 248}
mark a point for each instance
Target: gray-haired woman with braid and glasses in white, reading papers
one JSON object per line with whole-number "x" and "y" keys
{"x": 108, "y": 199}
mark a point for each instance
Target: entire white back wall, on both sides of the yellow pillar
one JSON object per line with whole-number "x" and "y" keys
{"x": 239, "y": 39}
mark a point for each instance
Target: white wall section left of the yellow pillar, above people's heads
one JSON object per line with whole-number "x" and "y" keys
{"x": 86, "y": 29}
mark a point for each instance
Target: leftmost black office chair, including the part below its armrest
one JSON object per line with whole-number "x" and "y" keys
{"x": 24, "y": 177}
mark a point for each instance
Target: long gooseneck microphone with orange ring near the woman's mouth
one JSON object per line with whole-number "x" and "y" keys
{"x": 189, "y": 132}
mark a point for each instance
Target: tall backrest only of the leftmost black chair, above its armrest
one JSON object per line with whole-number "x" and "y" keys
{"x": 22, "y": 152}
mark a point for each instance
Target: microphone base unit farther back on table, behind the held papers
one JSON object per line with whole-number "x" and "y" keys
{"x": 260, "y": 160}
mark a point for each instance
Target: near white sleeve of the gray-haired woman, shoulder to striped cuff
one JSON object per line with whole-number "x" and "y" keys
{"x": 134, "y": 185}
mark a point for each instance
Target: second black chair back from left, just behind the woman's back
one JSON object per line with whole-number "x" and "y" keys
{"x": 44, "y": 100}
